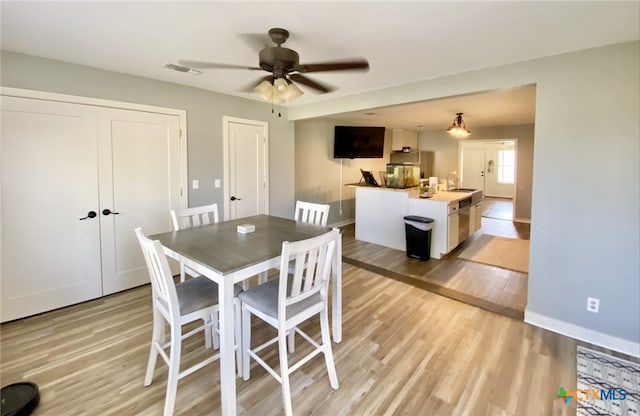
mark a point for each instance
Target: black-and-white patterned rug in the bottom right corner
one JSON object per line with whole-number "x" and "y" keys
{"x": 606, "y": 385}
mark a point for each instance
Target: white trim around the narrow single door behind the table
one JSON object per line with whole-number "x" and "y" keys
{"x": 226, "y": 121}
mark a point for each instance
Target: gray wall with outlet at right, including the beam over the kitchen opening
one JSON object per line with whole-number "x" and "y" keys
{"x": 586, "y": 193}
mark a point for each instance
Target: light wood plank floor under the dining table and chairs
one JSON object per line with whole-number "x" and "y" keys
{"x": 404, "y": 351}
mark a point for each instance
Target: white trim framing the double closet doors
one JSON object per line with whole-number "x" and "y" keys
{"x": 76, "y": 99}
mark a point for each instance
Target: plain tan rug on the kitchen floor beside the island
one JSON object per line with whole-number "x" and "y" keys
{"x": 508, "y": 253}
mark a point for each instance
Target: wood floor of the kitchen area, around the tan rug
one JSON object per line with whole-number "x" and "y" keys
{"x": 492, "y": 288}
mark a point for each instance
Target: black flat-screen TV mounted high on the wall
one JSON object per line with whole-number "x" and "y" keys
{"x": 358, "y": 142}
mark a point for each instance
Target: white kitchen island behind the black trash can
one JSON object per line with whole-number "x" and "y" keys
{"x": 380, "y": 216}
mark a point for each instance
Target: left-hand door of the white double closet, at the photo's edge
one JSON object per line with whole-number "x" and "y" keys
{"x": 49, "y": 257}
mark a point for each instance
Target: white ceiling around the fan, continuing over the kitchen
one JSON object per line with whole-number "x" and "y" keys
{"x": 403, "y": 42}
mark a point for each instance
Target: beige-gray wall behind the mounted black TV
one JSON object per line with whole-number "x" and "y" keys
{"x": 318, "y": 173}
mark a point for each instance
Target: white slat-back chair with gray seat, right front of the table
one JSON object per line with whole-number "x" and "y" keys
{"x": 287, "y": 302}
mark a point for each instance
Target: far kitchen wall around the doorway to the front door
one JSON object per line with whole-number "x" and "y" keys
{"x": 445, "y": 150}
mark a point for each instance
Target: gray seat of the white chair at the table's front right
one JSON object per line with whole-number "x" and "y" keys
{"x": 264, "y": 297}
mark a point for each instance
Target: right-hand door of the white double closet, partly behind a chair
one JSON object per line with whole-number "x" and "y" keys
{"x": 140, "y": 176}
